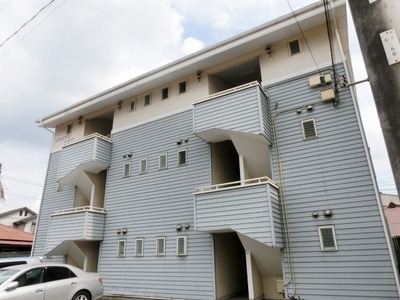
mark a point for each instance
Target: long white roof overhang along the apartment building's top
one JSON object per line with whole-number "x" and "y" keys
{"x": 258, "y": 37}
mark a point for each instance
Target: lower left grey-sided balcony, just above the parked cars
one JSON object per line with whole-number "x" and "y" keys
{"x": 78, "y": 223}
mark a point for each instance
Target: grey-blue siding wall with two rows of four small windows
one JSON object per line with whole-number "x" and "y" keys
{"x": 151, "y": 205}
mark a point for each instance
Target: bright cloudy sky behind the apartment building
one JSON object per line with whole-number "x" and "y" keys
{"x": 74, "y": 49}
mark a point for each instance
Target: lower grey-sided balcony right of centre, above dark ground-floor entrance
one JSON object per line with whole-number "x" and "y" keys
{"x": 250, "y": 207}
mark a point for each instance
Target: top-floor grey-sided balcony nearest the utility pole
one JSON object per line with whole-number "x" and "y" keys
{"x": 243, "y": 109}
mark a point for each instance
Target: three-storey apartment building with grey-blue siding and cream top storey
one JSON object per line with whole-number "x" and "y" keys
{"x": 240, "y": 169}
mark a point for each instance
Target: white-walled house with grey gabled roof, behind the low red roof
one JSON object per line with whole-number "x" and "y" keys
{"x": 21, "y": 218}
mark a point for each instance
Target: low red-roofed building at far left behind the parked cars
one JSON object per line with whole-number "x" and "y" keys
{"x": 14, "y": 242}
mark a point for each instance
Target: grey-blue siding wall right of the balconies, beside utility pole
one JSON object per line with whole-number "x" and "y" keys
{"x": 330, "y": 172}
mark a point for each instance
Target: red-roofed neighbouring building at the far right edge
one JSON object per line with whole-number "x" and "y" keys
{"x": 391, "y": 206}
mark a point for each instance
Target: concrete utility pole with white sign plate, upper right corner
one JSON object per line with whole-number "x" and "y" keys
{"x": 377, "y": 23}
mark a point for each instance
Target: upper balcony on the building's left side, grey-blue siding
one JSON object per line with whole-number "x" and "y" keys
{"x": 91, "y": 154}
